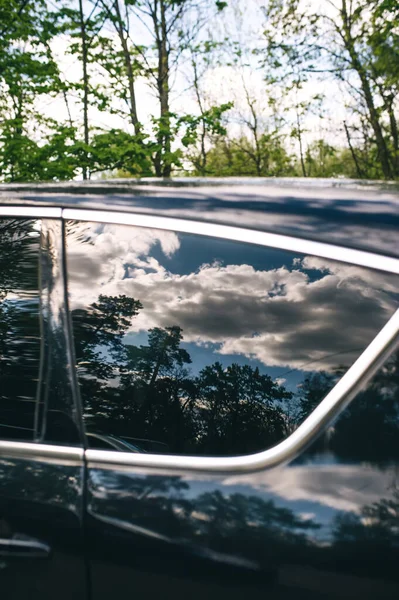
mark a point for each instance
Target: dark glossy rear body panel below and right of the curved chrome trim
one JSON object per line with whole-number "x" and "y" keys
{"x": 324, "y": 526}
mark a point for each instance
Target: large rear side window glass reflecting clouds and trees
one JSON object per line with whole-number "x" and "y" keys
{"x": 212, "y": 347}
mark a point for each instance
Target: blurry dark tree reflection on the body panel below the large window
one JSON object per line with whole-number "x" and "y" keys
{"x": 235, "y": 524}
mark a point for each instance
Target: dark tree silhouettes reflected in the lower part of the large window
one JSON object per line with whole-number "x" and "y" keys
{"x": 148, "y": 391}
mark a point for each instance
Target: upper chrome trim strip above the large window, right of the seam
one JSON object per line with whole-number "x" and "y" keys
{"x": 352, "y": 256}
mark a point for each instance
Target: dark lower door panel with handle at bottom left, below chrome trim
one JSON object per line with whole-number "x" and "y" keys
{"x": 41, "y": 506}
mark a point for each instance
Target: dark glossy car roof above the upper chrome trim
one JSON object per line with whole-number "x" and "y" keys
{"x": 356, "y": 214}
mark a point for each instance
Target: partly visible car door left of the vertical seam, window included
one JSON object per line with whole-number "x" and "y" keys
{"x": 41, "y": 453}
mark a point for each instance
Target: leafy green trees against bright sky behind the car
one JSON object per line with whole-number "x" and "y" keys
{"x": 143, "y": 88}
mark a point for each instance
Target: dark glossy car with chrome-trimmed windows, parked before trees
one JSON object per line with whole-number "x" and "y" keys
{"x": 199, "y": 389}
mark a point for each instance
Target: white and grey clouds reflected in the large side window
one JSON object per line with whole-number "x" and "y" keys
{"x": 306, "y": 311}
